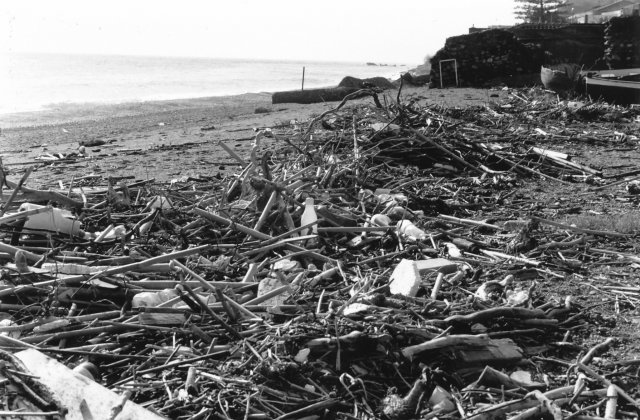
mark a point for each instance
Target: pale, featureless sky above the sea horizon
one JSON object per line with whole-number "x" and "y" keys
{"x": 401, "y": 31}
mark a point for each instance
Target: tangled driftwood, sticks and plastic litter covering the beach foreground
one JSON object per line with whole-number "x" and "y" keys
{"x": 354, "y": 272}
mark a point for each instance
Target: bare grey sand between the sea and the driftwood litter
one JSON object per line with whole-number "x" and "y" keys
{"x": 165, "y": 140}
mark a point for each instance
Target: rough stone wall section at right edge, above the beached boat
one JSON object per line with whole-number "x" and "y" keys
{"x": 622, "y": 42}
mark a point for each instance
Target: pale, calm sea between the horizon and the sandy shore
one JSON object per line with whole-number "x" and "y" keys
{"x": 31, "y": 82}
